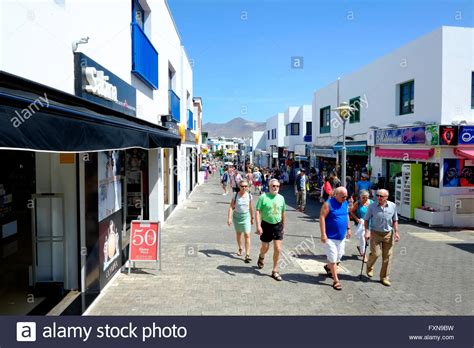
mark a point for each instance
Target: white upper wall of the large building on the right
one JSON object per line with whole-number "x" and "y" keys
{"x": 377, "y": 84}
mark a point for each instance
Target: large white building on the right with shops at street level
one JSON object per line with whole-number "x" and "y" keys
{"x": 428, "y": 81}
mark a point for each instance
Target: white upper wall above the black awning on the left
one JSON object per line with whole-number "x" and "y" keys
{"x": 40, "y": 48}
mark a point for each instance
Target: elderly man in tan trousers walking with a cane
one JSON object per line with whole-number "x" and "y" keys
{"x": 383, "y": 218}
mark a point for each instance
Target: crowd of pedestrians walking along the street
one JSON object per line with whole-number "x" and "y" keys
{"x": 376, "y": 222}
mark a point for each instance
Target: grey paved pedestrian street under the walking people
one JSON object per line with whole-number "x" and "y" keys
{"x": 202, "y": 275}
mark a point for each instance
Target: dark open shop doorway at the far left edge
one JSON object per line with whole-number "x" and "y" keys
{"x": 17, "y": 184}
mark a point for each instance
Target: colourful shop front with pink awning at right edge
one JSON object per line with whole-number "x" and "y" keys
{"x": 431, "y": 166}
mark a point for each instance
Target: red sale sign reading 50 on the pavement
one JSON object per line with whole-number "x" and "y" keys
{"x": 144, "y": 241}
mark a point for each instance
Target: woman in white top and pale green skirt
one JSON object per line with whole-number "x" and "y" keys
{"x": 241, "y": 213}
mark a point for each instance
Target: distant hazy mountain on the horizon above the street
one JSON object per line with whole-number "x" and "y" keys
{"x": 237, "y": 127}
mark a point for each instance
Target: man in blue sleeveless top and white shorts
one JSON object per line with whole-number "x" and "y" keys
{"x": 334, "y": 225}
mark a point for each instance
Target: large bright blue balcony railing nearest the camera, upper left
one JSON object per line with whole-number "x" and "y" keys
{"x": 144, "y": 57}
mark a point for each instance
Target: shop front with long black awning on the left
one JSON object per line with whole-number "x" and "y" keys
{"x": 68, "y": 199}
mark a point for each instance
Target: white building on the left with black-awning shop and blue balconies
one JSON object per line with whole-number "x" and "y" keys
{"x": 125, "y": 74}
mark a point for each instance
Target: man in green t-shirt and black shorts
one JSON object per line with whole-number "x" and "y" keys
{"x": 271, "y": 219}
